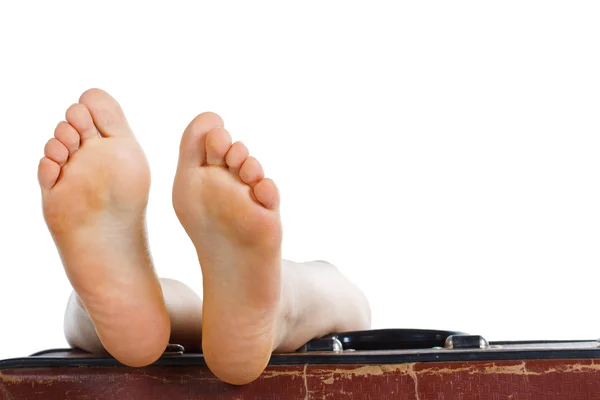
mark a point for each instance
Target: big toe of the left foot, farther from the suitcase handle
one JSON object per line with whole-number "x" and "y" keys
{"x": 106, "y": 112}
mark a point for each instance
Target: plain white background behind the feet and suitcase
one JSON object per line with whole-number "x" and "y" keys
{"x": 445, "y": 155}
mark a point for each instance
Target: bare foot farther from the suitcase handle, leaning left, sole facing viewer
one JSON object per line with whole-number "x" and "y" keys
{"x": 95, "y": 182}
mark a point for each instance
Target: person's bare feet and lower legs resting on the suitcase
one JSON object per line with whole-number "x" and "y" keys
{"x": 95, "y": 181}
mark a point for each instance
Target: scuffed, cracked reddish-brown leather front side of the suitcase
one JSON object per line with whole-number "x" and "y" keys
{"x": 531, "y": 380}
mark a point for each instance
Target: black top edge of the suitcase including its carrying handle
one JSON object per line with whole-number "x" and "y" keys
{"x": 389, "y": 346}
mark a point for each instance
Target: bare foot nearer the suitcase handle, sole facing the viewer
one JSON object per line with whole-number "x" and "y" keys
{"x": 230, "y": 211}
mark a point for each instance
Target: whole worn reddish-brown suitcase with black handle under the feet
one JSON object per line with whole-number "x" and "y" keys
{"x": 386, "y": 364}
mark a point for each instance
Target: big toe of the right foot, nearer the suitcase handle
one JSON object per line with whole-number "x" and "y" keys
{"x": 192, "y": 151}
